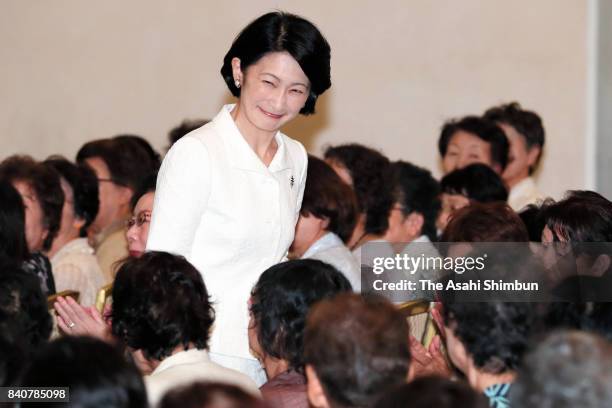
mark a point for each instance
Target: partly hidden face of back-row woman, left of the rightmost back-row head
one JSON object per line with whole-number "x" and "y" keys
{"x": 464, "y": 149}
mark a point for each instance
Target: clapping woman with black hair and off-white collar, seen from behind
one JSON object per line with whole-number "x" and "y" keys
{"x": 162, "y": 311}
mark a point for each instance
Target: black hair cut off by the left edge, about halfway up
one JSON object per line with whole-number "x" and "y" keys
{"x": 13, "y": 243}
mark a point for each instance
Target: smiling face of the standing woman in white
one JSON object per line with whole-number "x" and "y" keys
{"x": 273, "y": 91}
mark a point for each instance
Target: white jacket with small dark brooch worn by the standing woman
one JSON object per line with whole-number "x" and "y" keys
{"x": 232, "y": 217}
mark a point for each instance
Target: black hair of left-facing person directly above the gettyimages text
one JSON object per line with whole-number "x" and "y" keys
{"x": 415, "y": 189}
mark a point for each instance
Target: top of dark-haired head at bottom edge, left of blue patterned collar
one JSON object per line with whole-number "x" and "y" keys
{"x": 426, "y": 392}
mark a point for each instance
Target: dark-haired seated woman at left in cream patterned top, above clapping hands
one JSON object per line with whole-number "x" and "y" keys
{"x": 74, "y": 263}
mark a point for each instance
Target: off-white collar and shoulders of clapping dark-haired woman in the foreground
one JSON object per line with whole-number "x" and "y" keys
{"x": 186, "y": 367}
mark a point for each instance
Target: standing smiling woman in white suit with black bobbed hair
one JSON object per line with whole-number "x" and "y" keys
{"x": 229, "y": 193}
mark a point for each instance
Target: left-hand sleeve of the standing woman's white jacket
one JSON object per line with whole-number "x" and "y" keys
{"x": 181, "y": 196}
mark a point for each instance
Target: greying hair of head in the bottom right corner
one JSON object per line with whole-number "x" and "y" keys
{"x": 567, "y": 369}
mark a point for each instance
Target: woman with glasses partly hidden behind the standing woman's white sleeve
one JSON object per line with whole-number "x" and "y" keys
{"x": 137, "y": 231}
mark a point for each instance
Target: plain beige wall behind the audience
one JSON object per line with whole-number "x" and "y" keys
{"x": 75, "y": 70}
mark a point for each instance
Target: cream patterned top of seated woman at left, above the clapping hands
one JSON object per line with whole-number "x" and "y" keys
{"x": 75, "y": 267}
